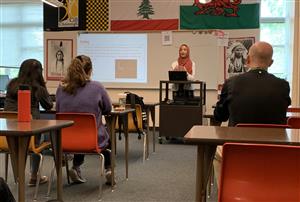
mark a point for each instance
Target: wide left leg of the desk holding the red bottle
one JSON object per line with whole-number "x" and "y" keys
{"x": 18, "y": 146}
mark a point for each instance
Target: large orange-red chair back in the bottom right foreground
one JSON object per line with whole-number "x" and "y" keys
{"x": 257, "y": 172}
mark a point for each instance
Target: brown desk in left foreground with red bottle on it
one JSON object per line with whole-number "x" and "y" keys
{"x": 18, "y": 135}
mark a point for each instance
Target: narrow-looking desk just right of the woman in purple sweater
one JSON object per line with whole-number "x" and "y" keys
{"x": 111, "y": 122}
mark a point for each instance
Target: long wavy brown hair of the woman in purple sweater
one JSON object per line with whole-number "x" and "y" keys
{"x": 77, "y": 74}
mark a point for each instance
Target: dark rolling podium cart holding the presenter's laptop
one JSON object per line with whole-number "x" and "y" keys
{"x": 178, "y": 114}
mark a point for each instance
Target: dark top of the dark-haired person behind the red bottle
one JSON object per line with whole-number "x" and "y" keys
{"x": 39, "y": 96}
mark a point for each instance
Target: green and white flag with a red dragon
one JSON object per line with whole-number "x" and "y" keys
{"x": 220, "y": 14}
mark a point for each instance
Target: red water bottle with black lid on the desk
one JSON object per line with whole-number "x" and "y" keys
{"x": 24, "y": 104}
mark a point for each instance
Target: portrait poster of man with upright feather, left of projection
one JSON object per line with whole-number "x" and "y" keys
{"x": 59, "y": 53}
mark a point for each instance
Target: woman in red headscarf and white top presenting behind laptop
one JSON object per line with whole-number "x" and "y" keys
{"x": 184, "y": 63}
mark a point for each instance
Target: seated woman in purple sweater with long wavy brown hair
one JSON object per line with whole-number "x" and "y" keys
{"x": 78, "y": 93}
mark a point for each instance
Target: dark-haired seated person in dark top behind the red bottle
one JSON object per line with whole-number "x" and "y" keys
{"x": 30, "y": 73}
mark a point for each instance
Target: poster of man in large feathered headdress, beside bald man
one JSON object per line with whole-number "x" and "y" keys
{"x": 235, "y": 55}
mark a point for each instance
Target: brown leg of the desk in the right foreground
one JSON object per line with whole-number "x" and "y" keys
{"x": 205, "y": 156}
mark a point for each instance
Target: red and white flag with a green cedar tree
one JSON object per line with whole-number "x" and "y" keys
{"x": 142, "y": 15}
